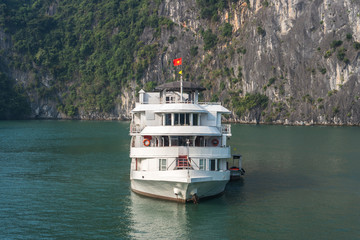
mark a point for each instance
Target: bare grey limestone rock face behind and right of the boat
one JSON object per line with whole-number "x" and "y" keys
{"x": 303, "y": 55}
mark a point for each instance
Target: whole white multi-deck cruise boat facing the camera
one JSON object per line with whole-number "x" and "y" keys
{"x": 178, "y": 145}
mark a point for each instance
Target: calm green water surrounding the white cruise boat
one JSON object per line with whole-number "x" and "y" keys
{"x": 70, "y": 180}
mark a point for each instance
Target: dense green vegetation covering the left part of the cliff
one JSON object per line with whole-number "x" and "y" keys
{"x": 91, "y": 49}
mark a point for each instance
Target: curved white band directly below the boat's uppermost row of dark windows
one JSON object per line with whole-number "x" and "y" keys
{"x": 181, "y": 131}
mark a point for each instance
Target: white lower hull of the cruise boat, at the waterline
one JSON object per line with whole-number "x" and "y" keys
{"x": 182, "y": 186}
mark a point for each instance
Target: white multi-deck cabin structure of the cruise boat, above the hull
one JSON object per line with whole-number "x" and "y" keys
{"x": 170, "y": 126}
